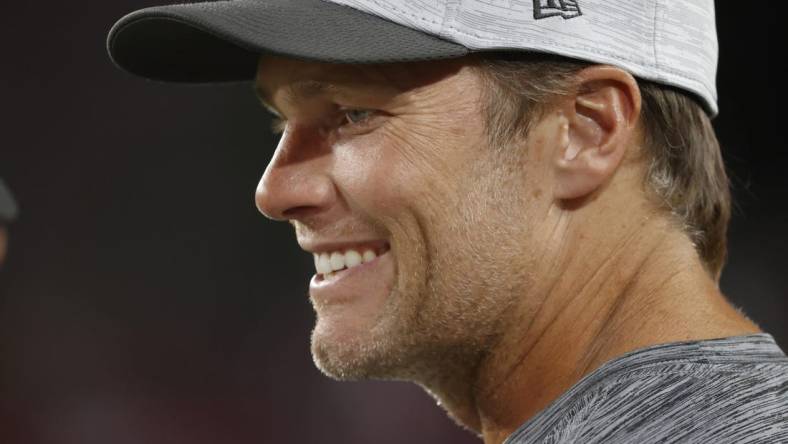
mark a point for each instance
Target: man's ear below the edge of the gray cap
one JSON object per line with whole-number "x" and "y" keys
{"x": 601, "y": 120}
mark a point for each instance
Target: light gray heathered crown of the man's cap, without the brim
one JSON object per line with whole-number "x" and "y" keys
{"x": 672, "y": 42}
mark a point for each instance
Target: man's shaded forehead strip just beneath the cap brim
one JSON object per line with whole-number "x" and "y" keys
{"x": 304, "y": 78}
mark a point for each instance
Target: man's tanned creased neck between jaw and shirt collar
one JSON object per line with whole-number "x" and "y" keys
{"x": 647, "y": 287}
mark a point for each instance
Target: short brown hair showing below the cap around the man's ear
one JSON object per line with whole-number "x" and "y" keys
{"x": 686, "y": 171}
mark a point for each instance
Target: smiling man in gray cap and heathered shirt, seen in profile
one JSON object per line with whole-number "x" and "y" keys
{"x": 519, "y": 206}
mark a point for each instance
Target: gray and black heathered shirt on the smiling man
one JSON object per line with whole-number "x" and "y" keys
{"x": 717, "y": 391}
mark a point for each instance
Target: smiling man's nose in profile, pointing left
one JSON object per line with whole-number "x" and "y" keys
{"x": 296, "y": 183}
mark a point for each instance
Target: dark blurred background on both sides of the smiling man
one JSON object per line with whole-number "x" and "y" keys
{"x": 146, "y": 301}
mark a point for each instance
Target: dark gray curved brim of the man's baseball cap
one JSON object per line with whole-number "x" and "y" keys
{"x": 222, "y": 40}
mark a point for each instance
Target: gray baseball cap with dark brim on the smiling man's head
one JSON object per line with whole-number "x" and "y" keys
{"x": 666, "y": 41}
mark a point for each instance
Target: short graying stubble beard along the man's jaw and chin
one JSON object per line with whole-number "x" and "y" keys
{"x": 449, "y": 312}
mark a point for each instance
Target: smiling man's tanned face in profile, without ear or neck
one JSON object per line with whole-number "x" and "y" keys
{"x": 394, "y": 159}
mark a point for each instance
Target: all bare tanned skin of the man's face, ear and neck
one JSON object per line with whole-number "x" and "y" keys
{"x": 513, "y": 271}
